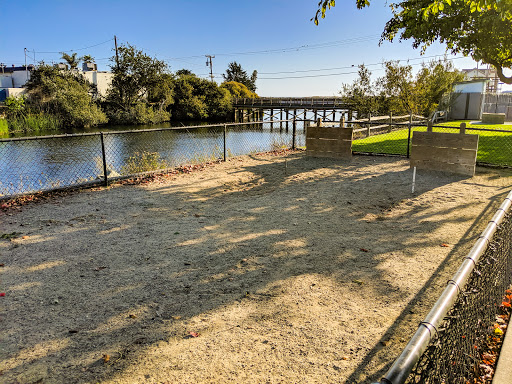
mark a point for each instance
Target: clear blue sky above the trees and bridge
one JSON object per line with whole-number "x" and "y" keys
{"x": 276, "y": 37}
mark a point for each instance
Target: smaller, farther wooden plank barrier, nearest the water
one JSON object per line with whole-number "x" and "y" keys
{"x": 329, "y": 141}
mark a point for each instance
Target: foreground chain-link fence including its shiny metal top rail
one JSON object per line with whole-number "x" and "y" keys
{"x": 447, "y": 345}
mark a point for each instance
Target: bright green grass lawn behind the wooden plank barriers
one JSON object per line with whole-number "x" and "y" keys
{"x": 493, "y": 147}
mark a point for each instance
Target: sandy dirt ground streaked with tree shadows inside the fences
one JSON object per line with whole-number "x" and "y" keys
{"x": 264, "y": 269}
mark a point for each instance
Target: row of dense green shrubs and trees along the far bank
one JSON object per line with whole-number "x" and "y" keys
{"x": 142, "y": 92}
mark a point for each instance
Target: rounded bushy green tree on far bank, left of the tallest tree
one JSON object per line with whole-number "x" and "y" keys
{"x": 64, "y": 94}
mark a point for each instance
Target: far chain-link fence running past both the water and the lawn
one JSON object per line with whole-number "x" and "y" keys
{"x": 50, "y": 162}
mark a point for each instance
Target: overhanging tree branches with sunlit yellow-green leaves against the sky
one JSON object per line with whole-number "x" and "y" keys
{"x": 481, "y": 29}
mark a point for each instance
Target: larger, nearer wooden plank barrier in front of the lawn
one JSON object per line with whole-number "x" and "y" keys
{"x": 446, "y": 152}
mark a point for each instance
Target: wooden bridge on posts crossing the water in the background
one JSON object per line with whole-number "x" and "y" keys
{"x": 286, "y": 108}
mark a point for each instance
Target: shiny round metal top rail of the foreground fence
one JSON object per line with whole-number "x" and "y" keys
{"x": 427, "y": 330}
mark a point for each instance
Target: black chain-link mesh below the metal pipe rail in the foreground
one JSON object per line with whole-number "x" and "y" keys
{"x": 454, "y": 357}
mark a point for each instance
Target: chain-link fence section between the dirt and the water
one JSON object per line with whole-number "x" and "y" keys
{"x": 52, "y": 162}
